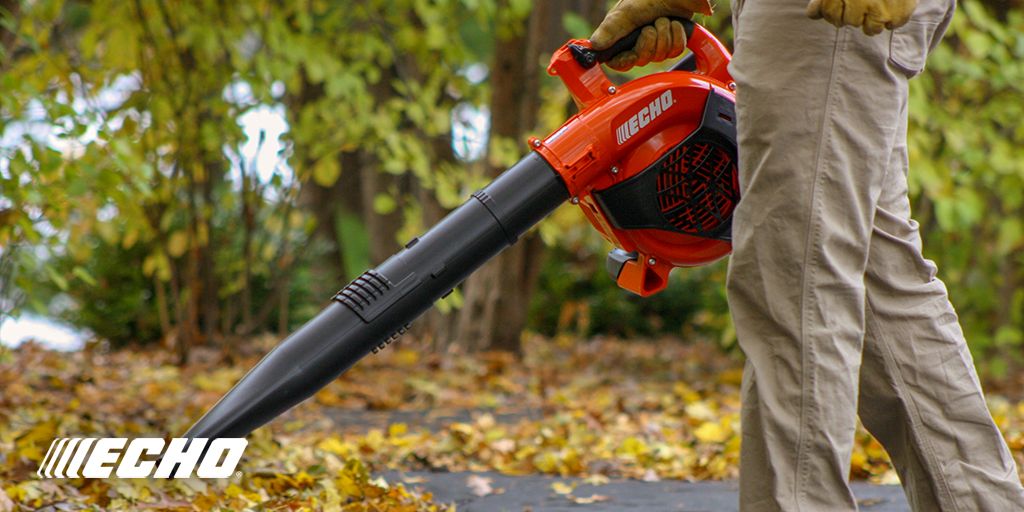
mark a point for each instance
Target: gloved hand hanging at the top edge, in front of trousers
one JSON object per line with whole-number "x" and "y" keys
{"x": 872, "y": 16}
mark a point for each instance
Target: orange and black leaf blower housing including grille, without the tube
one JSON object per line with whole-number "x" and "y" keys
{"x": 652, "y": 163}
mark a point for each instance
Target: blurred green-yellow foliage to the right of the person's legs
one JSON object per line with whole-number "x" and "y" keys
{"x": 967, "y": 176}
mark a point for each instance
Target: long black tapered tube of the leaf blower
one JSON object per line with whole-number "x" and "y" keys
{"x": 378, "y": 307}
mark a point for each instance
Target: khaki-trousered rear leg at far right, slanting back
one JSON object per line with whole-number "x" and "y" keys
{"x": 919, "y": 392}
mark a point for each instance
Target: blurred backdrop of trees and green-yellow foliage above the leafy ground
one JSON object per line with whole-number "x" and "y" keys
{"x": 198, "y": 173}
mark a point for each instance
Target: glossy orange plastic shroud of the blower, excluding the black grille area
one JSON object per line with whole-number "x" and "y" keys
{"x": 621, "y": 132}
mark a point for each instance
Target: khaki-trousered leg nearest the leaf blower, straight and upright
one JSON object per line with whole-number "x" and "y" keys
{"x": 820, "y": 113}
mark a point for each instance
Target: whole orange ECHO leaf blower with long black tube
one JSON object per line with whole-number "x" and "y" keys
{"x": 652, "y": 164}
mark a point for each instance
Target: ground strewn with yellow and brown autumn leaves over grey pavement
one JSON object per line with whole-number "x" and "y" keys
{"x": 600, "y": 424}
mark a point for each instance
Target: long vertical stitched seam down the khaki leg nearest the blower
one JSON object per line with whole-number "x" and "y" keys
{"x": 810, "y": 261}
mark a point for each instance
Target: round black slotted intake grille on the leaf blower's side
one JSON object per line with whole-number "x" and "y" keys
{"x": 696, "y": 189}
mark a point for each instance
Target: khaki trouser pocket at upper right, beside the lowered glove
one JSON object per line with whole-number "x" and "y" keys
{"x": 911, "y": 45}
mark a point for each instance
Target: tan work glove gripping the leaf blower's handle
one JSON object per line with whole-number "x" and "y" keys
{"x": 665, "y": 40}
